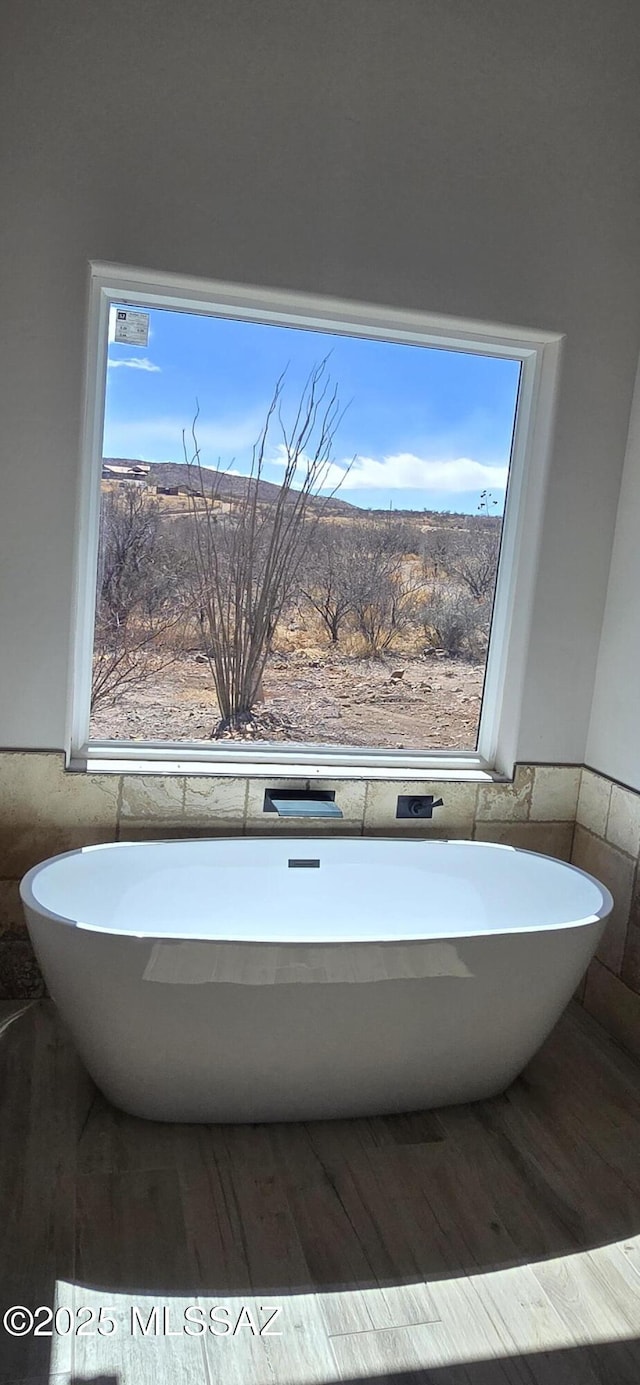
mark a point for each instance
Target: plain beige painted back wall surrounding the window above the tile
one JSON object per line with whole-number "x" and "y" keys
{"x": 476, "y": 160}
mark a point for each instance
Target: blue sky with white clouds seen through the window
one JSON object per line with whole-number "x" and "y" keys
{"x": 429, "y": 430}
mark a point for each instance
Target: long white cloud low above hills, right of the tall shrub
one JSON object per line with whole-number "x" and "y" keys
{"x": 405, "y": 472}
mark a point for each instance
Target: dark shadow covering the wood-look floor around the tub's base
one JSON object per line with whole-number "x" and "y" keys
{"x": 112, "y": 1204}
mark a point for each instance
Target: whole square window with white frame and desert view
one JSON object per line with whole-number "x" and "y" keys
{"x": 308, "y": 531}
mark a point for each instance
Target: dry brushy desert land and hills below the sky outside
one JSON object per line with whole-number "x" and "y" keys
{"x": 376, "y": 636}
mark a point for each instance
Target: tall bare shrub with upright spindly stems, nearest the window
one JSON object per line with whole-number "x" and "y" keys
{"x": 246, "y": 563}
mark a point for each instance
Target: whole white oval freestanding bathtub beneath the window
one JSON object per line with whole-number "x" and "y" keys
{"x": 290, "y": 980}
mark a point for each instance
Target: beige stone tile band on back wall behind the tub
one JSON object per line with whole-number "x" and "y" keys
{"x": 45, "y": 811}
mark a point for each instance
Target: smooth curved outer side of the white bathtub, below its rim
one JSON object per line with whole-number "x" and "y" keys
{"x": 292, "y": 1049}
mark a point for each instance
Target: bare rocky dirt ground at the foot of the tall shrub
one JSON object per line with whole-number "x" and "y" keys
{"x": 414, "y": 703}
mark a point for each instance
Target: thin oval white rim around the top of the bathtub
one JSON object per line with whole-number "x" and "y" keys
{"x": 31, "y": 902}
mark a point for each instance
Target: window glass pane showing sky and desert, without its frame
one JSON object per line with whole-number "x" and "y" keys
{"x": 300, "y": 535}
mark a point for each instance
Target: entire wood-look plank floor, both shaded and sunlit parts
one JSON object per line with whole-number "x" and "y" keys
{"x": 474, "y": 1246}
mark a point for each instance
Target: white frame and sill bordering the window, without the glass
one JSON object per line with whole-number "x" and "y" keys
{"x": 498, "y": 736}
